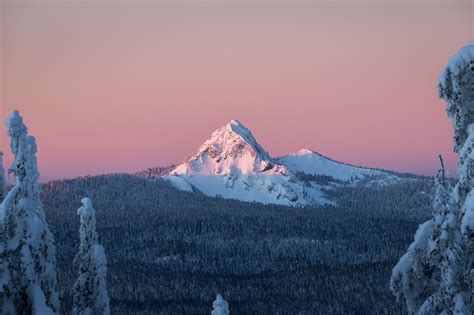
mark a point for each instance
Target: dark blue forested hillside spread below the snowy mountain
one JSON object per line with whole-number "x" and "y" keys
{"x": 170, "y": 251}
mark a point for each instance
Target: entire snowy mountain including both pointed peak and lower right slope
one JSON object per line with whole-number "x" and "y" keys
{"x": 232, "y": 164}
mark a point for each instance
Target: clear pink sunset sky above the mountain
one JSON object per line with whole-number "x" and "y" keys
{"x": 111, "y": 87}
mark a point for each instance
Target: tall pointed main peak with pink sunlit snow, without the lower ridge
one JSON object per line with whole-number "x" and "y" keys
{"x": 231, "y": 164}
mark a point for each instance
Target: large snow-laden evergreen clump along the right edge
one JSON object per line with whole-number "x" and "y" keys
{"x": 436, "y": 274}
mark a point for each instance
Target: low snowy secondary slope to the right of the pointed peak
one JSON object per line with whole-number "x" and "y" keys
{"x": 310, "y": 162}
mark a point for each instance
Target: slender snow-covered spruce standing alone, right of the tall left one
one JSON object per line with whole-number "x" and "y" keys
{"x": 90, "y": 288}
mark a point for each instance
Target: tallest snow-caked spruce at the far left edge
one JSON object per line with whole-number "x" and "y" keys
{"x": 29, "y": 258}
